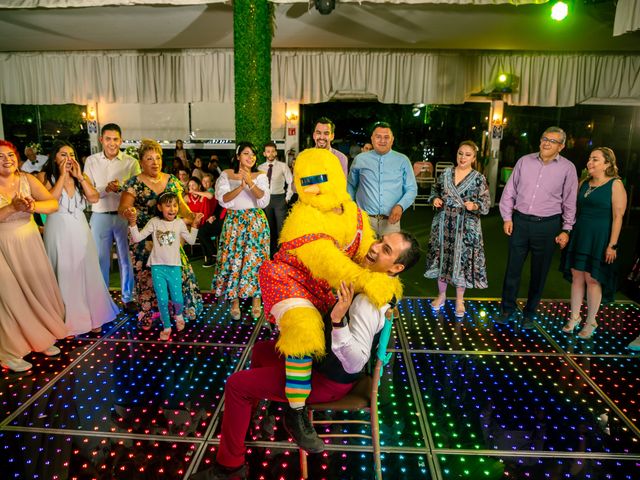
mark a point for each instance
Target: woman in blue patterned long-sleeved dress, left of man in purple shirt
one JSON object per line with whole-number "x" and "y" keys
{"x": 456, "y": 250}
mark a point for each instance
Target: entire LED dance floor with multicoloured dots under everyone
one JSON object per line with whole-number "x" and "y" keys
{"x": 461, "y": 398}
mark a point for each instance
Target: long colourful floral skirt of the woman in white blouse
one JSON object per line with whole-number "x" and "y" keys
{"x": 243, "y": 247}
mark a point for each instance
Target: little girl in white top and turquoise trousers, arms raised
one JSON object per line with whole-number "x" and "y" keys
{"x": 166, "y": 230}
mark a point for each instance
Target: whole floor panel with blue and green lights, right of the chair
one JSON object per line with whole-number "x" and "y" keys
{"x": 516, "y": 403}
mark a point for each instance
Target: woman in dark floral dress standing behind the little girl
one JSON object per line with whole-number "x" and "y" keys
{"x": 141, "y": 192}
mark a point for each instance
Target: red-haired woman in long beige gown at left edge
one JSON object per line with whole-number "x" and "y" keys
{"x": 31, "y": 306}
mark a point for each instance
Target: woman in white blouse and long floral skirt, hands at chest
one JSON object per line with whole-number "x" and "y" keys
{"x": 244, "y": 241}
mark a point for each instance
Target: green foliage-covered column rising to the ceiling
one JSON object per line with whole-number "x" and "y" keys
{"x": 252, "y": 33}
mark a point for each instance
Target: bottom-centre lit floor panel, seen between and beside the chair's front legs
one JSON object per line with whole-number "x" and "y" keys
{"x": 279, "y": 462}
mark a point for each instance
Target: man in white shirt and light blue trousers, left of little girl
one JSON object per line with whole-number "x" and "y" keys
{"x": 108, "y": 171}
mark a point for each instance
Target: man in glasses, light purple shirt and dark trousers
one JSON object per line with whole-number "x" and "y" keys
{"x": 538, "y": 207}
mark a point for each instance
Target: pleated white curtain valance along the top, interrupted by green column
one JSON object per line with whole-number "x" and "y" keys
{"x": 310, "y": 76}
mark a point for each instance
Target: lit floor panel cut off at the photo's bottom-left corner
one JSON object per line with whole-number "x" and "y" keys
{"x": 28, "y": 455}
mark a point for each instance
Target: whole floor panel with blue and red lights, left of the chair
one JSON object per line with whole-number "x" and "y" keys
{"x": 162, "y": 389}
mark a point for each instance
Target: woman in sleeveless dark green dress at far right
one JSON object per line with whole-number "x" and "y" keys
{"x": 589, "y": 260}
